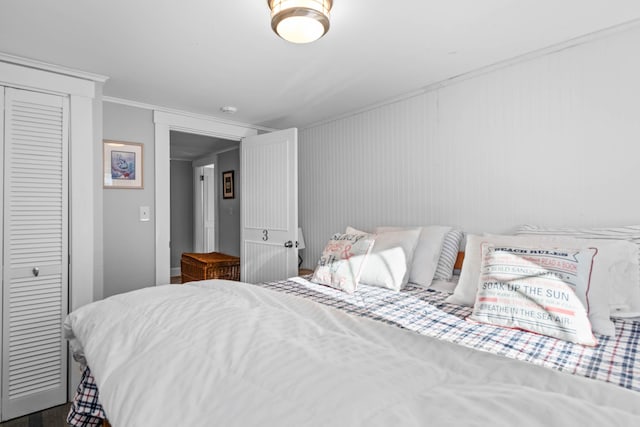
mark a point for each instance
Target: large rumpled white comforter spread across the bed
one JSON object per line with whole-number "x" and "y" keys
{"x": 221, "y": 353}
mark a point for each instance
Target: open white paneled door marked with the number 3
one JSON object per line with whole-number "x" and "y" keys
{"x": 269, "y": 206}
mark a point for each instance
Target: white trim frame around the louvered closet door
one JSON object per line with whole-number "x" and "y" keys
{"x": 85, "y": 179}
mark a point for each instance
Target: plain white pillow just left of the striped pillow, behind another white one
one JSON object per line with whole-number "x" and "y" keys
{"x": 427, "y": 253}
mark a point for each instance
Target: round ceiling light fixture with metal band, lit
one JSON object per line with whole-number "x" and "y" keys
{"x": 300, "y": 21}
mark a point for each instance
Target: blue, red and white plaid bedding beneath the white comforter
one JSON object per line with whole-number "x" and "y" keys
{"x": 614, "y": 359}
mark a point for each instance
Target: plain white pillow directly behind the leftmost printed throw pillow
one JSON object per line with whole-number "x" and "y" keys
{"x": 390, "y": 260}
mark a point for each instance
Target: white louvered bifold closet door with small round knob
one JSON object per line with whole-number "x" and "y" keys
{"x": 35, "y": 255}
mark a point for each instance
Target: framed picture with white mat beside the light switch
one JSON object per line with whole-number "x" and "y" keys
{"x": 122, "y": 164}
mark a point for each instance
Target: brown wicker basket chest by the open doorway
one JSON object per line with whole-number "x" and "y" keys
{"x": 213, "y": 265}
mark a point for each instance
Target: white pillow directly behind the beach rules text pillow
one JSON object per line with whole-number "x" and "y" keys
{"x": 609, "y": 252}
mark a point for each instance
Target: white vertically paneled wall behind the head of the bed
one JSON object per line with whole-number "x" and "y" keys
{"x": 552, "y": 140}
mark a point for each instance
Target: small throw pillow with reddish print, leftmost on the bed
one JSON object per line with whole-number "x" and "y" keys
{"x": 342, "y": 261}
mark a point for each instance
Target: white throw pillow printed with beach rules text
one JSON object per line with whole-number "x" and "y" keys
{"x": 542, "y": 290}
